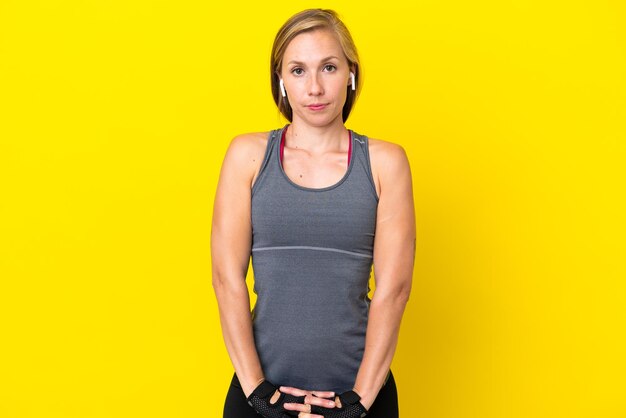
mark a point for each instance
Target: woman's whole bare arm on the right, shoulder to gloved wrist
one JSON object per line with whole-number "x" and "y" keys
{"x": 394, "y": 254}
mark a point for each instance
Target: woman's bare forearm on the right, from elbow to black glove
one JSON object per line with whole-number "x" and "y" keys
{"x": 383, "y": 327}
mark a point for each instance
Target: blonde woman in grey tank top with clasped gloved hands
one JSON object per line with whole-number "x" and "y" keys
{"x": 314, "y": 204}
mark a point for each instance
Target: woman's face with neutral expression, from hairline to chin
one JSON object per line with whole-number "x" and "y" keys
{"x": 316, "y": 74}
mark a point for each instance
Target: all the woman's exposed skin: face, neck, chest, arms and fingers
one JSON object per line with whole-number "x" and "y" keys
{"x": 315, "y": 155}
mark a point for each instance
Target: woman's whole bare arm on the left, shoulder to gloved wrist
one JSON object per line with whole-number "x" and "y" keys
{"x": 231, "y": 241}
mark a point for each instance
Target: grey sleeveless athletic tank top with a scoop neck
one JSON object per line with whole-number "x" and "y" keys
{"x": 312, "y": 254}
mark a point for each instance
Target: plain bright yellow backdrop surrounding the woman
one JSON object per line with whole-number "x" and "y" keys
{"x": 114, "y": 118}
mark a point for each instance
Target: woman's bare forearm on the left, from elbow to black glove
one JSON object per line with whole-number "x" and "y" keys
{"x": 236, "y": 321}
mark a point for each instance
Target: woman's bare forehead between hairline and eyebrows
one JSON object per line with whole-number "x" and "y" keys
{"x": 313, "y": 46}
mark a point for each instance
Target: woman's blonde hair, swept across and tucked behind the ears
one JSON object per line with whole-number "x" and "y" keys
{"x": 305, "y": 21}
